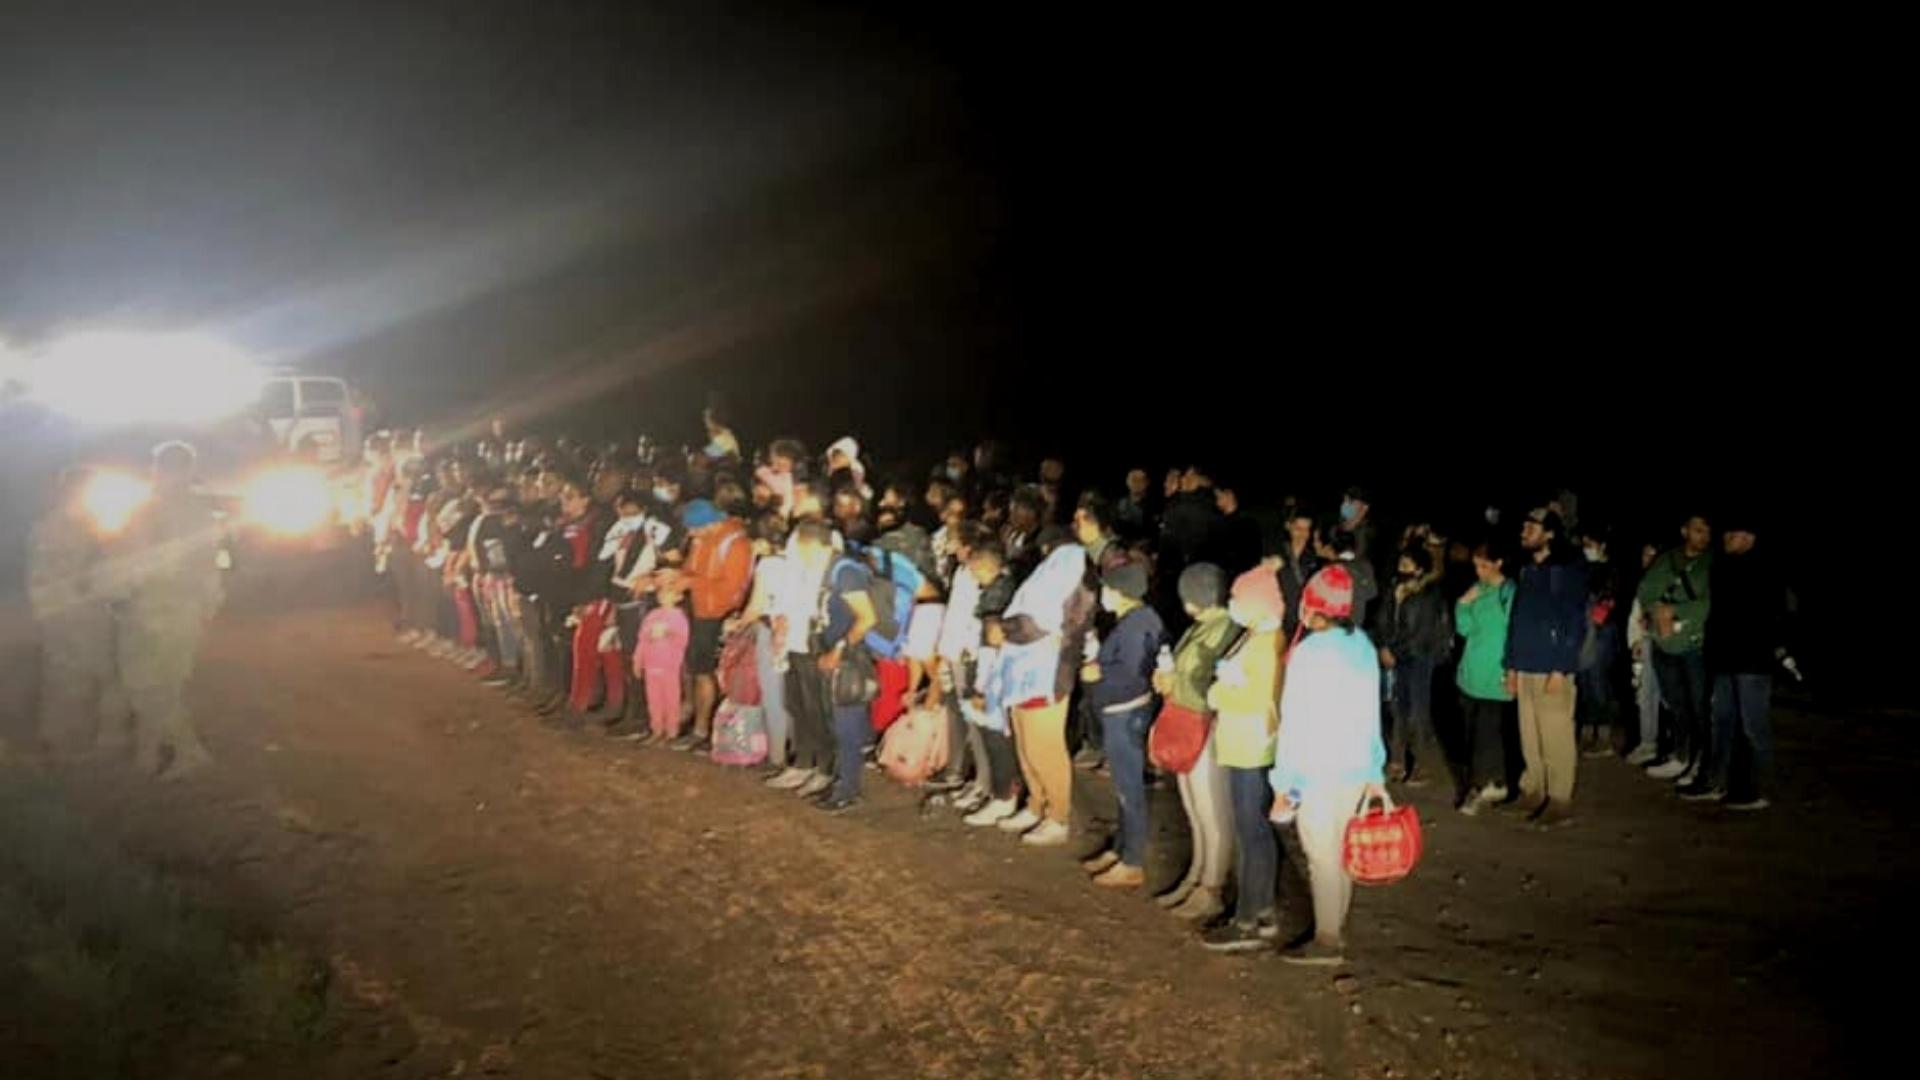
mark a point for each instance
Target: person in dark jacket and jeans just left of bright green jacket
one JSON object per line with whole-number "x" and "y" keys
{"x": 1416, "y": 633}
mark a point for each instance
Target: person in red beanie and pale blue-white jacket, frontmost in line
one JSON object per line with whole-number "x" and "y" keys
{"x": 1330, "y": 752}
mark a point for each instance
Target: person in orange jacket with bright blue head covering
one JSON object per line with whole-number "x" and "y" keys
{"x": 717, "y": 576}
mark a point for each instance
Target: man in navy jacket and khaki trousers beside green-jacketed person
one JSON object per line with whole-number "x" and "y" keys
{"x": 1543, "y": 658}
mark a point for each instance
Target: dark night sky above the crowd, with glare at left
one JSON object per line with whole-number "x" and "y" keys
{"x": 1130, "y": 239}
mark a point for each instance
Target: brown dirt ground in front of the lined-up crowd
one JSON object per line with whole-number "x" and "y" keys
{"x": 504, "y": 898}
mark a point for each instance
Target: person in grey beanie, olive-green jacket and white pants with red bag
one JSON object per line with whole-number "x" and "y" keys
{"x": 1199, "y": 896}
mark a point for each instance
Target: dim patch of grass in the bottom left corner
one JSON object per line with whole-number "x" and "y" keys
{"x": 108, "y": 970}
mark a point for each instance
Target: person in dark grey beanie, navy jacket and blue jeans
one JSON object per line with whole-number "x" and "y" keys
{"x": 1122, "y": 695}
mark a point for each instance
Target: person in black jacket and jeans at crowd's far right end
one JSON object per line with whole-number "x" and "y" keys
{"x": 1746, "y": 639}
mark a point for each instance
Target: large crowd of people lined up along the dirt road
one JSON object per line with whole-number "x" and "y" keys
{"x": 790, "y": 612}
